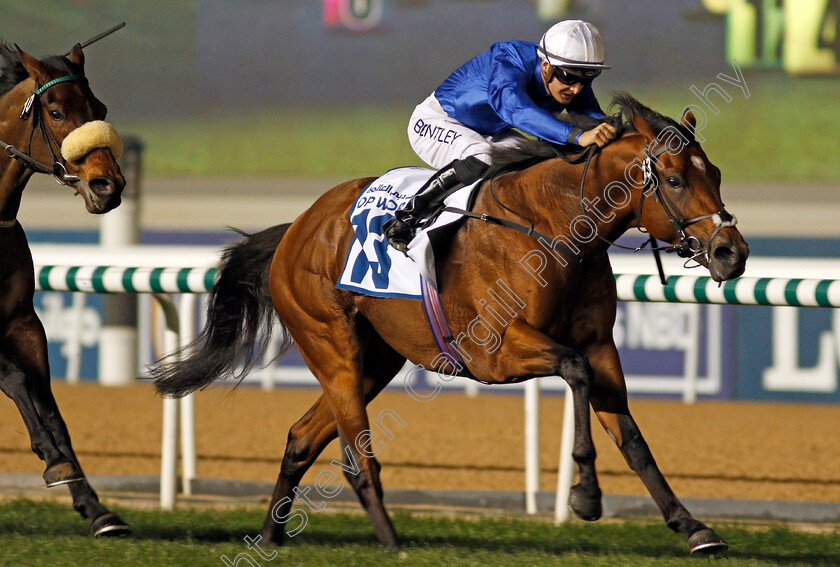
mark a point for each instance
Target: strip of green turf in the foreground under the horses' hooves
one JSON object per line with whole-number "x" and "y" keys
{"x": 50, "y": 534}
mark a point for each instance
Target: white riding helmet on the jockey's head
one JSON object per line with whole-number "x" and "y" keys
{"x": 573, "y": 43}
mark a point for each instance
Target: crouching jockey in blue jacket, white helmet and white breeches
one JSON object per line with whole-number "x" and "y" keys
{"x": 515, "y": 85}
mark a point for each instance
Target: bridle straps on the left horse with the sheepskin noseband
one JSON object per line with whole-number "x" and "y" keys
{"x": 32, "y": 107}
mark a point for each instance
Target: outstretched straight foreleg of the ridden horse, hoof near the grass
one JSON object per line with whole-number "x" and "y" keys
{"x": 609, "y": 400}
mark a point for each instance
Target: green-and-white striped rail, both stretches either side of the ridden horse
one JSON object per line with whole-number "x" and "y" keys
{"x": 795, "y": 292}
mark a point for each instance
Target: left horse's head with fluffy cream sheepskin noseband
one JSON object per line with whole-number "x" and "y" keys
{"x": 71, "y": 123}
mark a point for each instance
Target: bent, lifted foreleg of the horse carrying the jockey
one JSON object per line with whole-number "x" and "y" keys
{"x": 525, "y": 353}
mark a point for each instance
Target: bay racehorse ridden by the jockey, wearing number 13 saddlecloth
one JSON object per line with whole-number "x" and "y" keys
{"x": 655, "y": 176}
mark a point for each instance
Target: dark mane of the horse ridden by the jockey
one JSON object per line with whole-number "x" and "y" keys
{"x": 530, "y": 151}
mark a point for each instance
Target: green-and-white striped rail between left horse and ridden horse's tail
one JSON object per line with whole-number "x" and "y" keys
{"x": 113, "y": 279}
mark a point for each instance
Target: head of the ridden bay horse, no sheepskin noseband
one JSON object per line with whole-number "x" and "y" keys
{"x": 680, "y": 201}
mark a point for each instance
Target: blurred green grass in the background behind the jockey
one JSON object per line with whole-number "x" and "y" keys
{"x": 784, "y": 132}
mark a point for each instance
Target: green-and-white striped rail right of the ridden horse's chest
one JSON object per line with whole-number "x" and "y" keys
{"x": 742, "y": 291}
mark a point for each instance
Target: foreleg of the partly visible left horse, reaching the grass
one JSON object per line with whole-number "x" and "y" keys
{"x": 27, "y": 347}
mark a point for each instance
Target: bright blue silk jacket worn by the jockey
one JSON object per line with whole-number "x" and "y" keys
{"x": 502, "y": 88}
